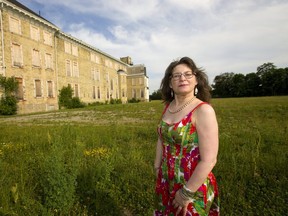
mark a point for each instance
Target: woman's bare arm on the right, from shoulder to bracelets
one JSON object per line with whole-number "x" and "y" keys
{"x": 207, "y": 129}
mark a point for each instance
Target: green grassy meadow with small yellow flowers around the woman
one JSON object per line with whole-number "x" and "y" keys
{"x": 99, "y": 160}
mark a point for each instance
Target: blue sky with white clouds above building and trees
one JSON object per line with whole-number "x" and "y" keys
{"x": 219, "y": 35}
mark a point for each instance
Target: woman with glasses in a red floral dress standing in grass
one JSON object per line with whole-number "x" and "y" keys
{"x": 187, "y": 146}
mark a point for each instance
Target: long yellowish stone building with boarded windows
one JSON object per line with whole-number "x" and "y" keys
{"x": 44, "y": 59}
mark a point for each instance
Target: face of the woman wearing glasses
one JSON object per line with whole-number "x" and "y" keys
{"x": 183, "y": 80}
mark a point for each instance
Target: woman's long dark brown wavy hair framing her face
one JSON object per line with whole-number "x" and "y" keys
{"x": 202, "y": 79}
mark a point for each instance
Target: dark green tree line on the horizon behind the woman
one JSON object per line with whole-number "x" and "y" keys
{"x": 267, "y": 81}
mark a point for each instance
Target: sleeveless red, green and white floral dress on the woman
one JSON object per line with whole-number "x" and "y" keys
{"x": 180, "y": 156}
